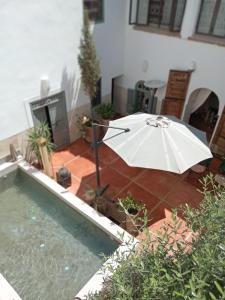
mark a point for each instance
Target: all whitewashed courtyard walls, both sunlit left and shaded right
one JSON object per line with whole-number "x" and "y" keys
{"x": 43, "y": 38}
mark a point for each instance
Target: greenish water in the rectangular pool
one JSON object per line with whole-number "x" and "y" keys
{"x": 47, "y": 250}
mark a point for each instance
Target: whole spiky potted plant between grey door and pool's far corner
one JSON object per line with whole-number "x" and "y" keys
{"x": 38, "y": 132}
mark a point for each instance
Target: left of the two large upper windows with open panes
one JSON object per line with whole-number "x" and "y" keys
{"x": 164, "y": 14}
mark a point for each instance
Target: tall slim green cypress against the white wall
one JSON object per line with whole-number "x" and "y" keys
{"x": 87, "y": 59}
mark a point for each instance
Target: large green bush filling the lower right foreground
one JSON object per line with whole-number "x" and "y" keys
{"x": 166, "y": 268}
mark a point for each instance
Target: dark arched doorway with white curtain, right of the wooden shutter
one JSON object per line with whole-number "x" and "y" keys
{"x": 206, "y": 113}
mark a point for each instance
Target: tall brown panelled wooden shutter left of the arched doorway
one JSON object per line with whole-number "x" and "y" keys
{"x": 176, "y": 93}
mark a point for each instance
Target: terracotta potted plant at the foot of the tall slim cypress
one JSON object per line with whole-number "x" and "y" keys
{"x": 84, "y": 123}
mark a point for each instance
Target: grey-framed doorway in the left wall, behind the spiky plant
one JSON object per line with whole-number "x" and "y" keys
{"x": 52, "y": 111}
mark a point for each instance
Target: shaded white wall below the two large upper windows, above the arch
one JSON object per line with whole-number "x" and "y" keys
{"x": 164, "y": 52}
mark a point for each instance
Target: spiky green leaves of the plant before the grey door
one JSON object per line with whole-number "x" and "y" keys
{"x": 42, "y": 130}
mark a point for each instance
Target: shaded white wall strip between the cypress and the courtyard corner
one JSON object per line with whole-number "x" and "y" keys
{"x": 109, "y": 38}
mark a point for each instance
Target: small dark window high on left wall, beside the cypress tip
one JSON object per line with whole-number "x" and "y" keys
{"x": 95, "y": 9}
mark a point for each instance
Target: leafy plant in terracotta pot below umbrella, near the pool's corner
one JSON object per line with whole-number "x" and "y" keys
{"x": 132, "y": 210}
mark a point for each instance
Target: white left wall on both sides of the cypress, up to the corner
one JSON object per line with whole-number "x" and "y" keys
{"x": 42, "y": 37}
